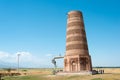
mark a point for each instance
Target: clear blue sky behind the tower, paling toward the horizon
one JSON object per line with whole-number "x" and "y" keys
{"x": 37, "y": 29}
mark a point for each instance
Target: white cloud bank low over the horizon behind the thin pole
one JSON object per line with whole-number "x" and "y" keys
{"x": 26, "y": 59}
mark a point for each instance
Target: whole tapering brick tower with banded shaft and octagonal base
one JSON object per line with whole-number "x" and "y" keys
{"x": 77, "y": 56}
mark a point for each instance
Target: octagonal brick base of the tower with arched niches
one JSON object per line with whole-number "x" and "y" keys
{"x": 77, "y": 63}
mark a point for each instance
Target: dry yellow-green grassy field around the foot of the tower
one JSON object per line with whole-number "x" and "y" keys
{"x": 46, "y": 74}
